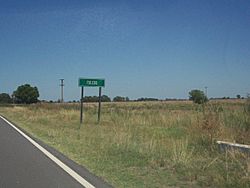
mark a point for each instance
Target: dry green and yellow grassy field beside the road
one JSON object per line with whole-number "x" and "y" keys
{"x": 147, "y": 144}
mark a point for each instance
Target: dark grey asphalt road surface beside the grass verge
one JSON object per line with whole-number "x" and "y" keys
{"x": 22, "y": 165}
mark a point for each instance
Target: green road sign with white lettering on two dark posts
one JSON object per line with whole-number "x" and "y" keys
{"x": 91, "y": 82}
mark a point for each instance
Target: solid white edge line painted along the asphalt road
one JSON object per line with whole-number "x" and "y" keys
{"x": 66, "y": 168}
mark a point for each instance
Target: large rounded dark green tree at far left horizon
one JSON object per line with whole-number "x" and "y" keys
{"x": 26, "y": 94}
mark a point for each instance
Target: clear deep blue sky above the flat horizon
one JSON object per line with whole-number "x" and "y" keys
{"x": 143, "y": 48}
